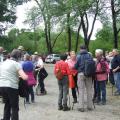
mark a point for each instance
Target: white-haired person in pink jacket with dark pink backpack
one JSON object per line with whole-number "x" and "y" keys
{"x": 102, "y": 70}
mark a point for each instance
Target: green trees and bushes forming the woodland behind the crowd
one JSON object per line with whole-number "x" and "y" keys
{"x": 63, "y": 21}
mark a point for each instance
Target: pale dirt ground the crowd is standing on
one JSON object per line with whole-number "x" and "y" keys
{"x": 45, "y": 107}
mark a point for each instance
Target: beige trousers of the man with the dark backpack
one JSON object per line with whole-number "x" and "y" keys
{"x": 85, "y": 83}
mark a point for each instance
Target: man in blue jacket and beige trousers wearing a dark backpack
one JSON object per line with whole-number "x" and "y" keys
{"x": 84, "y": 79}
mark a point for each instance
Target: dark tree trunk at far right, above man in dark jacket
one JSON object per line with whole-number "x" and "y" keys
{"x": 114, "y": 24}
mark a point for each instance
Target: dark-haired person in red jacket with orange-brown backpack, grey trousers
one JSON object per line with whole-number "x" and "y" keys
{"x": 61, "y": 71}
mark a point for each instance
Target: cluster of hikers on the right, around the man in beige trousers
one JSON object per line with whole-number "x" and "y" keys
{"x": 107, "y": 67}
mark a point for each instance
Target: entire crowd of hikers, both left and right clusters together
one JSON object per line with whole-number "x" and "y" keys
{"x": 20, "y": 65}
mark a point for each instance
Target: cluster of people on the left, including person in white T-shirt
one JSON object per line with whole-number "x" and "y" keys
{"x": 13, "y": 67}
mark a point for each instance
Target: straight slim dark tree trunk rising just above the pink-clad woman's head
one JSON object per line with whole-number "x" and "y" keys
{"x": 69, "y": 32}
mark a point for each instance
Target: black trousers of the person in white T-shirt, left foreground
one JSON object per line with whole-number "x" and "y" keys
{"x": 11, "y": 100}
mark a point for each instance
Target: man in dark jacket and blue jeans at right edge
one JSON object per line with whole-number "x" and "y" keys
{"x": 116, "y": 70}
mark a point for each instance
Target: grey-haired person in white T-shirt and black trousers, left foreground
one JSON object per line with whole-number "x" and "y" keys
{"x": 10, "y": 70}
